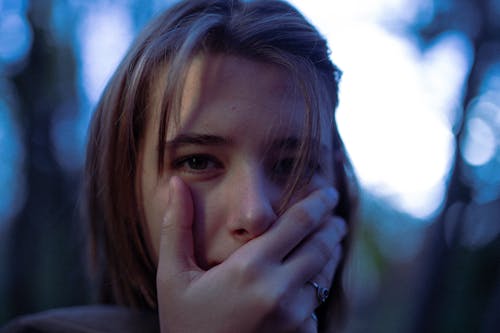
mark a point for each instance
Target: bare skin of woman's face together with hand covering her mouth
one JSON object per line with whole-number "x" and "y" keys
{"x": 226, "y": 261}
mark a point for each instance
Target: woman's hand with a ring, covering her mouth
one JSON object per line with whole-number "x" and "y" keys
{"x": 262, "y": 286}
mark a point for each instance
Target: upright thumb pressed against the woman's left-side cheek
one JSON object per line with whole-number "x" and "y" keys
{"x": 176, "y": 252}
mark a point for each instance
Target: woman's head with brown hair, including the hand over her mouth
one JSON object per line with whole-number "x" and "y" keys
{"x": 217, "y": 186}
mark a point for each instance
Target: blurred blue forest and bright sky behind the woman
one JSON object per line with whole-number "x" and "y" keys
{"x": 419, "y": 113}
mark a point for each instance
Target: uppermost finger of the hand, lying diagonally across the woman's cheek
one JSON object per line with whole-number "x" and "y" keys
{"x": 297, "y": 223}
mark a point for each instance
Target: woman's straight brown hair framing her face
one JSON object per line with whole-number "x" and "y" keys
{"x": 270, "y": 31}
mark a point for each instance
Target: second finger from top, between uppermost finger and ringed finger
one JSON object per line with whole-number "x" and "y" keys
{"x": 316, "y": 252}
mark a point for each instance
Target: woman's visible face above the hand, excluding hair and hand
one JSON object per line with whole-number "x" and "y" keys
{"x": 238, "y": 133}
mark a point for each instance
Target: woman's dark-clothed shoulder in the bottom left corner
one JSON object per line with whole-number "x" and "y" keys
{"x": 86, "y": 319}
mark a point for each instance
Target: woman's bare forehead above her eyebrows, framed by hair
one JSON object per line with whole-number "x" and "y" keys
{"x": 226, "y": 93}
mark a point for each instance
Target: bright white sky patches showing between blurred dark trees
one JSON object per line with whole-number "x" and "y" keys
{"x": 396, "y": 104}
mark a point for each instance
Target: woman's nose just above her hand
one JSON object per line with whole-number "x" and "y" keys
{"x": 253, "y": 205}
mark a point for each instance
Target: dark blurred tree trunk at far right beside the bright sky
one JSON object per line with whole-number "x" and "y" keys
{"x": 460, "y": 287}
